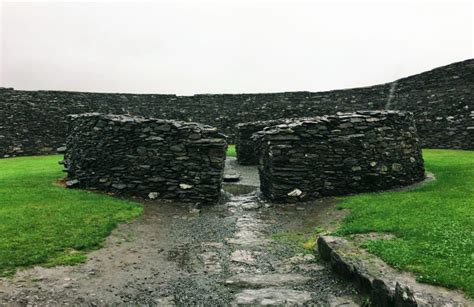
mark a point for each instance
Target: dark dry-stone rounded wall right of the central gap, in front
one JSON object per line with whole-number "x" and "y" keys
{"x": 338, "y": 155}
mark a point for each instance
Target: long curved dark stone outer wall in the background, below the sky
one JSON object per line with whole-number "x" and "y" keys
{"x": 34, "y": 122}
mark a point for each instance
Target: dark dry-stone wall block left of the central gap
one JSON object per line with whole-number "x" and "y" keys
{"x": 151, "y": 158}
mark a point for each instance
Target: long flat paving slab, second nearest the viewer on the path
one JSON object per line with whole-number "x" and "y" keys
{"x": 266, "y": 280}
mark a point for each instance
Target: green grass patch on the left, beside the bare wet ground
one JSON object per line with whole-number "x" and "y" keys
{"x": 44, "y": 223}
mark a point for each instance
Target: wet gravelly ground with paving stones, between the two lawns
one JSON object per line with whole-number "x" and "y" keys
{"x": 242, "y": 251}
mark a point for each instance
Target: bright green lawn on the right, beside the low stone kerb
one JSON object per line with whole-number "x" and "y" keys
{"x": 433, "y": 225}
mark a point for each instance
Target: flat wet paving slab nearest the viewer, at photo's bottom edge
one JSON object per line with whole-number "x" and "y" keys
{"x": 272, "y": 296}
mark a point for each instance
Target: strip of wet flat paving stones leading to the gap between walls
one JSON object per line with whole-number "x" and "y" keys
{"x": 260, "y": 282}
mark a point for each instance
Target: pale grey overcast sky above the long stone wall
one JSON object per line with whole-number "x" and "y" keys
{"x": 226, "y": 47}
